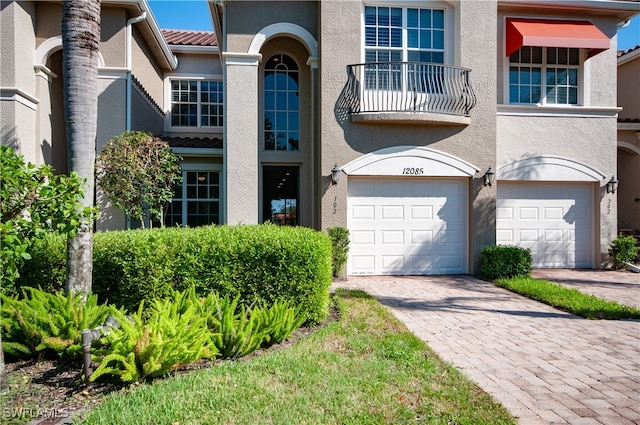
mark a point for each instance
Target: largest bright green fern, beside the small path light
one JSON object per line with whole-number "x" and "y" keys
{"x": 172, "y": 335}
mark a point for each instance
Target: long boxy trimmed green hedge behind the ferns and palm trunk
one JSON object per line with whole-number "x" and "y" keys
{"x": 256, "y": 262}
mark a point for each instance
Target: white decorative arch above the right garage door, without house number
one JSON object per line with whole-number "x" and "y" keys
{"x": 548, "y": 168}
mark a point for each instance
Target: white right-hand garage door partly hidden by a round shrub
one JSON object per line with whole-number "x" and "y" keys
{"x": 554, "y": 220}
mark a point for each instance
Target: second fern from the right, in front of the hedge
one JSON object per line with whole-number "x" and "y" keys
{"x": 235, "y": 332}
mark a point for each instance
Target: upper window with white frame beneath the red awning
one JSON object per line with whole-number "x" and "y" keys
{"x": 544, "y": 75}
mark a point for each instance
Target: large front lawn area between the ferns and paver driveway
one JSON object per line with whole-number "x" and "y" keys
{"x": 364, "y": 368}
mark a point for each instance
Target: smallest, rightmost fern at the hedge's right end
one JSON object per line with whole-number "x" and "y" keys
{"x": 279, "y": 321}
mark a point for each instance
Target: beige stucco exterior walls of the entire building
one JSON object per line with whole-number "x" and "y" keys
{"x": 323, "y": 38}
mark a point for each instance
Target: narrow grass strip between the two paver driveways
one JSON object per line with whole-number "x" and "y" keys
{"x": 568, "y": 299}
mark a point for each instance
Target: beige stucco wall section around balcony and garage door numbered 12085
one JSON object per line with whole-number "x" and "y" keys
{"x": 344, "y": 141}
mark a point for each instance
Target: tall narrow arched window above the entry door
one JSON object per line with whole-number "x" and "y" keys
{"x": 281, "y": 104}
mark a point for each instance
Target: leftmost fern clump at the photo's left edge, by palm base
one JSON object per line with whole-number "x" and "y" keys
{"x": 43, "y": 322}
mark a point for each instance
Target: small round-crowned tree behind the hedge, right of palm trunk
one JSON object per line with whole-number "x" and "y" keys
{"x": 138, "y": 173}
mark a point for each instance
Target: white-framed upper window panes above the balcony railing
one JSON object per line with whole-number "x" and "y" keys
{"x": 404, "y": 34}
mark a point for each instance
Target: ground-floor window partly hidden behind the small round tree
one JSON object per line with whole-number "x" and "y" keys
{"x": 196, "y": 200}
